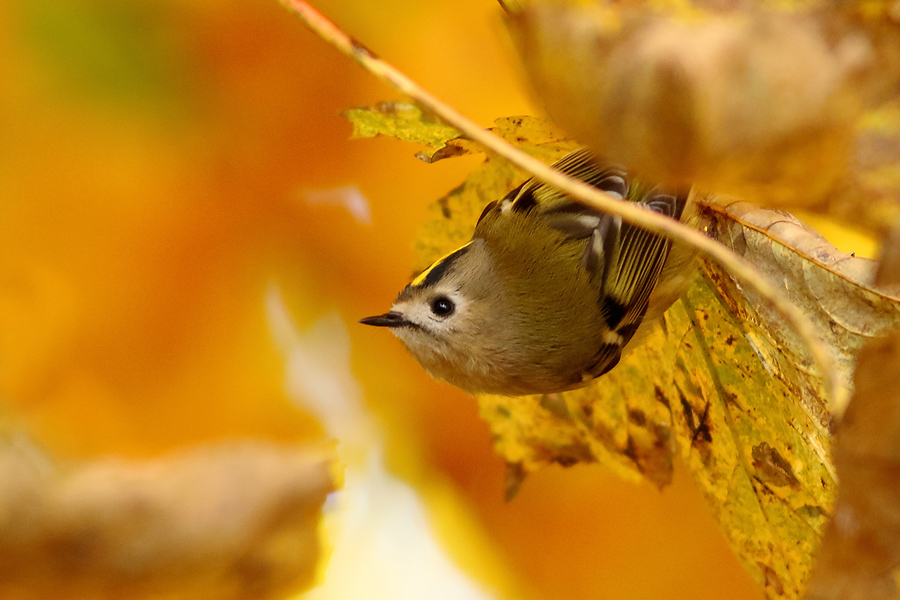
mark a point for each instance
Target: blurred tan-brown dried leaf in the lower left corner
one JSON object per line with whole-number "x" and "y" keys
{"x": 236, "y": 521}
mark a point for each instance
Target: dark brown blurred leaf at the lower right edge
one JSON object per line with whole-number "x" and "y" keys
{"x": 862, "y": 545}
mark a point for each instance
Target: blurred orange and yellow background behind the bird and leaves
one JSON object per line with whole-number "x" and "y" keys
{"x": 154, "y": 160}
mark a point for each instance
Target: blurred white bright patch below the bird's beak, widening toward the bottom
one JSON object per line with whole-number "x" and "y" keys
{"x": 378, "y": 525}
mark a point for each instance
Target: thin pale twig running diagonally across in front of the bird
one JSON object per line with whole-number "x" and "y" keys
{"x": 631, "y": 212}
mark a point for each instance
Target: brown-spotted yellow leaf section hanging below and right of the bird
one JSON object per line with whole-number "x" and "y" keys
{"x": 739, "y": 429}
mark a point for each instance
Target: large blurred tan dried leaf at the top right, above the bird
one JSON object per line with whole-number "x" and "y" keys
{"x": 759, "y": 103}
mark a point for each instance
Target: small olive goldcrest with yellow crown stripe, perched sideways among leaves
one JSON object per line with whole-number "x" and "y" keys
{"x": 547, "y": 294}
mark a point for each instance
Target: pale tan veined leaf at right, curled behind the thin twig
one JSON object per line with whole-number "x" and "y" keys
{"x": 834, "y": 289}
